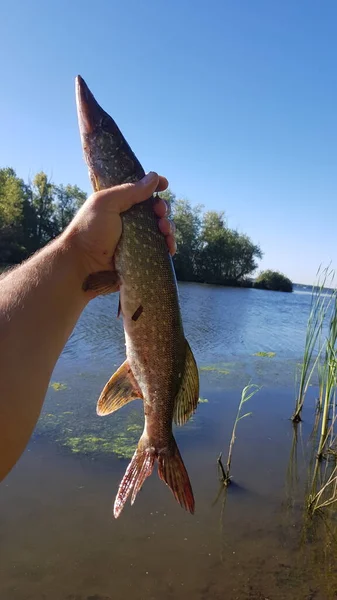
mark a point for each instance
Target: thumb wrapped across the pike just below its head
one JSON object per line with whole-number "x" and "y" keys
{"x": 126, "y": 195}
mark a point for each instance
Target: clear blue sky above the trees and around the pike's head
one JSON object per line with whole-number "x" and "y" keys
{"x": 234, "y": 101}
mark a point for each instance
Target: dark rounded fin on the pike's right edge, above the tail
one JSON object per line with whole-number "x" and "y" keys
{"x": 187, "y": 398}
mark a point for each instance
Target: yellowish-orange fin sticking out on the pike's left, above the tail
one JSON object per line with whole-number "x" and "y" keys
{"x": 121, "y": 388}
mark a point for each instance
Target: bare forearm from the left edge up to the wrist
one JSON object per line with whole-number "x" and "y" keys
{"x": 40, "y": 302}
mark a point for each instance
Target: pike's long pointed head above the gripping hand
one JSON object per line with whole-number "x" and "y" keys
{"x": 109, "y": 157}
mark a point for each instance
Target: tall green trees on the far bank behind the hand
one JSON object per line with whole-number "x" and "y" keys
{"x": 33, "y": 213}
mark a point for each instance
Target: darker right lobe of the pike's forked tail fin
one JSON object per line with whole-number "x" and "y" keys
{"x": 171, "y": 469}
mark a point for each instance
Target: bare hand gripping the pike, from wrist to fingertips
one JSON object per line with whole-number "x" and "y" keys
{"x": 95, "y": 231}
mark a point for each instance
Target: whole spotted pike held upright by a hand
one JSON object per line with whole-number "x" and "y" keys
{"x": 159, "y": 368}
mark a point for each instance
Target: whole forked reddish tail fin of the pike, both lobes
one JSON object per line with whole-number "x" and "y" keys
{"x": 171, "y": 470}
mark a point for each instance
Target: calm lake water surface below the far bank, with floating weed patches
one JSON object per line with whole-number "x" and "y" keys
{"x": 58, "y": 540}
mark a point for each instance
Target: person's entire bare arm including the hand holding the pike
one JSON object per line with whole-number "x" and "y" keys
{"x": 42, "y": 299}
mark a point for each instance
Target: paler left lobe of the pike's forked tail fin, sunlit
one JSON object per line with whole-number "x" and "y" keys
{"x": 140, "y": 467}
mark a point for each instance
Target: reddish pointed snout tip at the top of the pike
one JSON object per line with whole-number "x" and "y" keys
{"x": 90, "y": 114}
